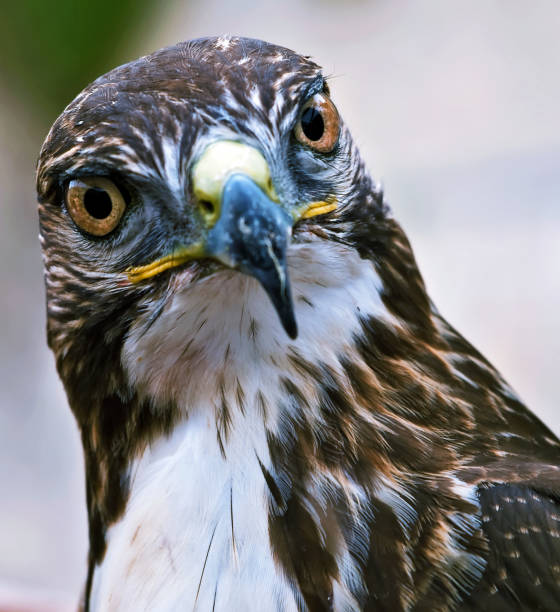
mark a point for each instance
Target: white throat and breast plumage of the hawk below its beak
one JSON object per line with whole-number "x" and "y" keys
{"x": 175, "y": 548}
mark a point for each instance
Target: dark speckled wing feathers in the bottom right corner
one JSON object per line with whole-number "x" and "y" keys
{"x": 522, "y": 525}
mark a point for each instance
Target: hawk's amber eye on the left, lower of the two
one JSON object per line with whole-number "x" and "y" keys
{"x": 95, "y": 204}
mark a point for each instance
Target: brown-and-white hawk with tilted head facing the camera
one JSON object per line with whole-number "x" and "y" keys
{"x": 273, "y": 412}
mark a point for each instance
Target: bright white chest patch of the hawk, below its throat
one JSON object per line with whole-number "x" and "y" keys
{"x": 195, "y": 532}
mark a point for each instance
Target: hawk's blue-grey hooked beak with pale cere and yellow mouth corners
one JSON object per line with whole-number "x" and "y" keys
{"x": 246, "y": 227}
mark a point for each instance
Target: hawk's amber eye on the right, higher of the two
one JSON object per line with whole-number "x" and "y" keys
{"x": 318, "y": 124}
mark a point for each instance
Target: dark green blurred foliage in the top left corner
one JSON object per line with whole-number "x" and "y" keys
{"x": 50, "y": 50}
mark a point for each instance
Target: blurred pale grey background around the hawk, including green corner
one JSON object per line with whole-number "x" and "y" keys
{"x": 456, "y": 108}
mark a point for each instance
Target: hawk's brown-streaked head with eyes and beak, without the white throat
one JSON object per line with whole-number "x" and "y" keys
{"x": 213, "y": 159}
